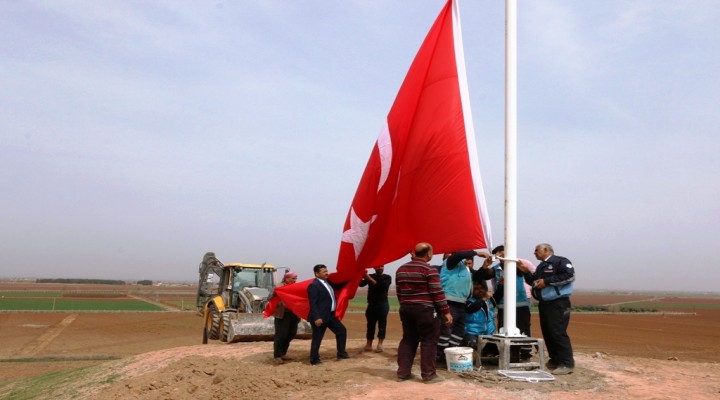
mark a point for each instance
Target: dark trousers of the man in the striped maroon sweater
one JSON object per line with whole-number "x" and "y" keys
{"x": 421, "y": 325}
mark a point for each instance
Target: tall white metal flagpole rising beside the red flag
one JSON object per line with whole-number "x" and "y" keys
{"x": 509, "y": 322}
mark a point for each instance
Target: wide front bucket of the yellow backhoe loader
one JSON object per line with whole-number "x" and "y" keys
{"x": 255, "y": 328}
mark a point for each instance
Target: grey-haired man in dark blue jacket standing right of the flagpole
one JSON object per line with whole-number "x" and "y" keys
{"x": 552, "y": 284}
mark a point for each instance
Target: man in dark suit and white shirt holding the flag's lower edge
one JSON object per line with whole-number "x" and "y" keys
{"x": 322, "y": 315}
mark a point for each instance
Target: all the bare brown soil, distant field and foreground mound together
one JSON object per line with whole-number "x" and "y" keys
{"x": 159, "y": 356}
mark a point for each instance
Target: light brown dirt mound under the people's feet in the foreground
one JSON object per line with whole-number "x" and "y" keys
{"x": 242, "y": 370}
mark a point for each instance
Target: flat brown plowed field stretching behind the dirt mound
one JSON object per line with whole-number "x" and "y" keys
{"x": 35, "y": 343}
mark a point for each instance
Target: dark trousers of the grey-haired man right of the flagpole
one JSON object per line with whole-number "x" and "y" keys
{"x": 554, "y": 320}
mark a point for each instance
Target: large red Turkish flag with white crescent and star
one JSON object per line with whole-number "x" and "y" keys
{"x": 422, "y": 181}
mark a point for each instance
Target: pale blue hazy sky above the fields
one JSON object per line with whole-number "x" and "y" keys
{"x": 137, "y": 135}
